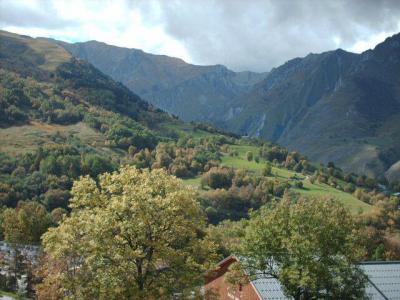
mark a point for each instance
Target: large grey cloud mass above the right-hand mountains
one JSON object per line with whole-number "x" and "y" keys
{"x": 258, "y": 35}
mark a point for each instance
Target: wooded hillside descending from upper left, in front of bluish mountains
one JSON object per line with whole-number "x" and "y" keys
{"x": 62, "y": 118}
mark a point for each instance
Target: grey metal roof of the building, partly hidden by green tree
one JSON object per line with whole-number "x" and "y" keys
{"x": 384, "y": 282}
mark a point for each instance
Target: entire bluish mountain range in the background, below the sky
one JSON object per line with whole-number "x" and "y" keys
{"x": 334, "y": 106}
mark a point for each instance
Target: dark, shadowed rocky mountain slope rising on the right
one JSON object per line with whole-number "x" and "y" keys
{"x": 335, "y": 106}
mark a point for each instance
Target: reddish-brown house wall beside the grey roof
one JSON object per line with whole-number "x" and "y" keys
{"x": 216, "y": 285}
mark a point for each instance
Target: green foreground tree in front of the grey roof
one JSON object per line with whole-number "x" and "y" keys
{"x": 308, "y": 246}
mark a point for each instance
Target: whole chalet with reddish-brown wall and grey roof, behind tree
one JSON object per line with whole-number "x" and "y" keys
{"x": 383, "y": 283}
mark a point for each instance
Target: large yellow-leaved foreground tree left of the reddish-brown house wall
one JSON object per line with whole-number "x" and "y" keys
{"x": 133, "y": 235}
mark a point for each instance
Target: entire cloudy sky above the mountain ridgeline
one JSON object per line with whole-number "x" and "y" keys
{"x": 252, "y": 35}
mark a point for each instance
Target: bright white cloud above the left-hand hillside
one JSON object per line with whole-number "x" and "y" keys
{"x": 113, "y": 22}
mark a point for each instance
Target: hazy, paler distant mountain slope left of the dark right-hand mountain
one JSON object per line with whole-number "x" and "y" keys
{"x": 192, "y": 92}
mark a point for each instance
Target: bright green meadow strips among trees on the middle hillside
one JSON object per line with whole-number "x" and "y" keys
{"x": 309, "y": 190}
